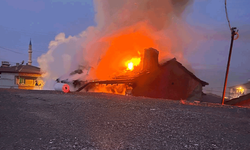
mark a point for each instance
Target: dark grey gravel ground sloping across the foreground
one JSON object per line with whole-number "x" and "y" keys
{"x": 88, "y": 121}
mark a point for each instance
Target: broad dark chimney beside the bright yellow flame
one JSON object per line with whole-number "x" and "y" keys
{"x": 150, "y": 60}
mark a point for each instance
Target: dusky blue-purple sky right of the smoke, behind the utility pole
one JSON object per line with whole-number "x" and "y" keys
{"x": 210, "y": 57}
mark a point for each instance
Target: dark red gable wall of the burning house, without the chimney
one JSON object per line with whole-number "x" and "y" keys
{"x": 168, "y": 81}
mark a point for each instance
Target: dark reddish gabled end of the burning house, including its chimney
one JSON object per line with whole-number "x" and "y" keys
{"x": 170, "y": 80}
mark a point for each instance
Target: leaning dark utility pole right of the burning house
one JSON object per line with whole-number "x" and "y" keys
{"x": 233, "y": 33}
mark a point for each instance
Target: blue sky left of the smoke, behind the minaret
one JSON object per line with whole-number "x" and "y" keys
{"x": 41, "y": 21}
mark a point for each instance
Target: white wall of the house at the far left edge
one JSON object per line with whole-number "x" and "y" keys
{"x": 7, "y": 80}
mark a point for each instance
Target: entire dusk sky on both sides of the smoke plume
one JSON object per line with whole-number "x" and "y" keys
{"x": 42, "y": 20}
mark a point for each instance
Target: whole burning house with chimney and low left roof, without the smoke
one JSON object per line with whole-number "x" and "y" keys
{"x": 170, "y": 80}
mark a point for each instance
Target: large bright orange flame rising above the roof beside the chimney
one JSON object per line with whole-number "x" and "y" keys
{"x": 122, "y": 52}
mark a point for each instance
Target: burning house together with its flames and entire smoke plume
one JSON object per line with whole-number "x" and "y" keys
{"x": 114, "y": 48}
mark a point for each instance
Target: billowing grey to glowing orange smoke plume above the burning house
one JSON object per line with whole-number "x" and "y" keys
{"x": 124, "y": 29}
